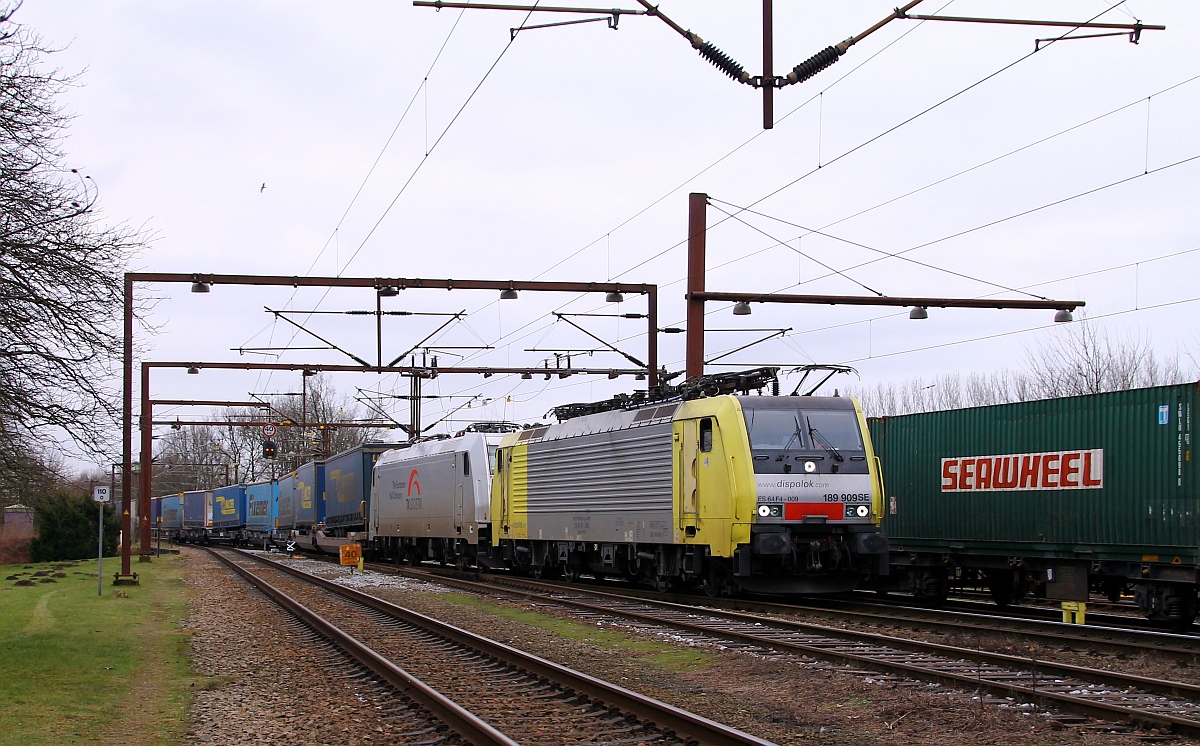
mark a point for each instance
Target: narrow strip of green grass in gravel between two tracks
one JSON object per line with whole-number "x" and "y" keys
{"x": 659, "y": 655}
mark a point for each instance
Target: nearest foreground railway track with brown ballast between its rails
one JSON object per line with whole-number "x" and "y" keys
{"x": 485, "y": 691}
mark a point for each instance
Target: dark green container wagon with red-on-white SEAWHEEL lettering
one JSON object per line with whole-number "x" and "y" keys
{"x": 1064, "y": 497}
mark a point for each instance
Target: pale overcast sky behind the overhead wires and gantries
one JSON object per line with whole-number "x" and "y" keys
{"x": 405, "y": 142}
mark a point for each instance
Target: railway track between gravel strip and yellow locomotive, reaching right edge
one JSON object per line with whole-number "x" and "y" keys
{"x": 1103, "y": 695}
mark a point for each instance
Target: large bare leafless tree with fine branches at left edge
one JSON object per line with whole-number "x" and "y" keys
{"x": 62, "y": 275}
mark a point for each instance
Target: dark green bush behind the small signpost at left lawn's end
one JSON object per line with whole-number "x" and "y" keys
{"x": 67, "y": 528}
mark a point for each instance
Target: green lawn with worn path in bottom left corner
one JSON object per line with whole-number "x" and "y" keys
{"x": 81, "y": 669}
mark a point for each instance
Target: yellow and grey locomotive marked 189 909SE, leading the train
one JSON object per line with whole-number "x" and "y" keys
{"x": 760, "y": 494}
